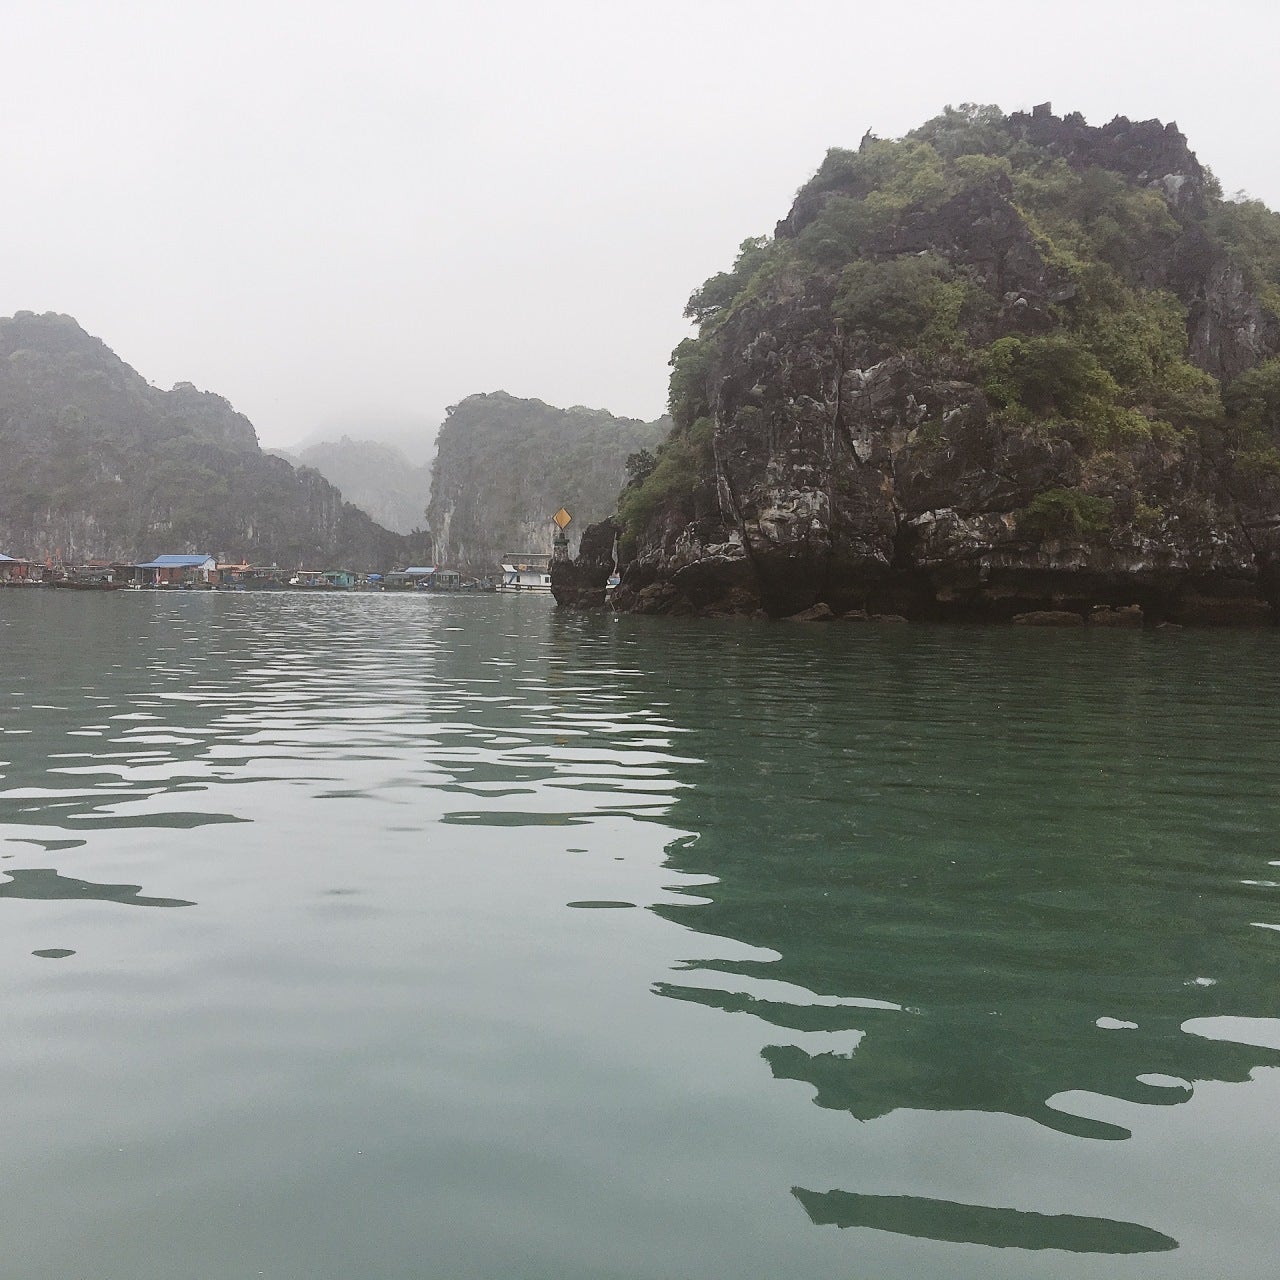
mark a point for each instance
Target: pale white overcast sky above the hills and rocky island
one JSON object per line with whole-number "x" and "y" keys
{"x": 346, "y": 217}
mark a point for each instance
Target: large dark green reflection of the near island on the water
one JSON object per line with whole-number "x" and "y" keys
{"x": 1005, "y": 839}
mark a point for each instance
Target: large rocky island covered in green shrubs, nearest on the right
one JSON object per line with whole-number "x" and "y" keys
{"x": 1007, "y": 365}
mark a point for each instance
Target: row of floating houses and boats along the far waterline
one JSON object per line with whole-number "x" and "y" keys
{"x": 199, "y": 572}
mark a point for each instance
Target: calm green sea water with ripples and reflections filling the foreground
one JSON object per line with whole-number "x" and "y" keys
{"x": 396, "y": 938}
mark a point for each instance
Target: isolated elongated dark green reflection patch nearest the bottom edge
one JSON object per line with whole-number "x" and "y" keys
{"x": 980, "y": 1224}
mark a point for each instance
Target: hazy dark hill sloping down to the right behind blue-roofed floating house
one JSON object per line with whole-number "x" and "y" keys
{"x": 97, "y": 463}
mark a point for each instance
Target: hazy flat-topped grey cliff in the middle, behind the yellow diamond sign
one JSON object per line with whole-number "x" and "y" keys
{"x": 505, "y": 467}
